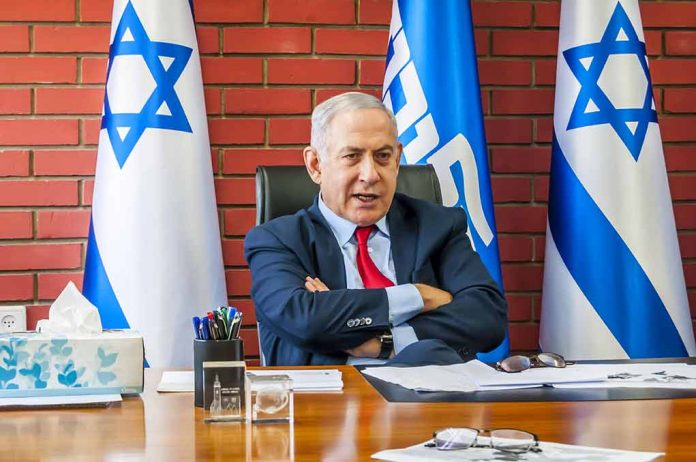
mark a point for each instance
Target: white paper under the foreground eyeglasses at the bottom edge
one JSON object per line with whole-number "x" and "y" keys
{"x": 550, "y": 452}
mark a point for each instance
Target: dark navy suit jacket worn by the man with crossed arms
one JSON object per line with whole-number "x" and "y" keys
{"x": 429, "y": 245}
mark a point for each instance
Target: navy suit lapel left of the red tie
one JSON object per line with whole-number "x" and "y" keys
{"x": 327, "y": 254}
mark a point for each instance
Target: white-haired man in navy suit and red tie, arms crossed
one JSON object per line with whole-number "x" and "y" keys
{"x": 364, "y": 274}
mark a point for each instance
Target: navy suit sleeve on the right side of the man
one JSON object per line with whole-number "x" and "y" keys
{"x": 476, "y": 319}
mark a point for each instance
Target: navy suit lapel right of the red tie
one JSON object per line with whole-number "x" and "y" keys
{"x": 403, "y": 235}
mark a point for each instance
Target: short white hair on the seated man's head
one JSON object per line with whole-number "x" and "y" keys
{"x": 324, "y": 113}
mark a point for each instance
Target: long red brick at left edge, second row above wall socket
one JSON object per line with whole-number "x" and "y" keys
{"x": 40, "y": 256}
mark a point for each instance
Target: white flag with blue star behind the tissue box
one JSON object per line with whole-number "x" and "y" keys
{"x": 154, "y": 258}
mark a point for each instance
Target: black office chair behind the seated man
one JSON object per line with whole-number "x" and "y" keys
{"x": 283, "y": 190}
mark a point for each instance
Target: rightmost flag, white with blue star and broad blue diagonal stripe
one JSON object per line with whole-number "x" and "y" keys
{"x": 613, "y": 280}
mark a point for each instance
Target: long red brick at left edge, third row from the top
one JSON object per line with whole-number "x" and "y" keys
{"x": 37, "y": 69}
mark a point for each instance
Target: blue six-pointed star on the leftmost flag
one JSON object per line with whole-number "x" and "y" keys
{"x": 162, "y": 108}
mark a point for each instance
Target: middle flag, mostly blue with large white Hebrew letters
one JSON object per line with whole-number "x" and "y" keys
{"x": 431, "y": 83}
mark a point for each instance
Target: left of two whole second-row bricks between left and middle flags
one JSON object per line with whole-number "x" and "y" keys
{"x": 267, "y": 40}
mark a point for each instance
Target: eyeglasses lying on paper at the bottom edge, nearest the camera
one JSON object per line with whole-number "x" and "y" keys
{"x": 507, "y": 440}
